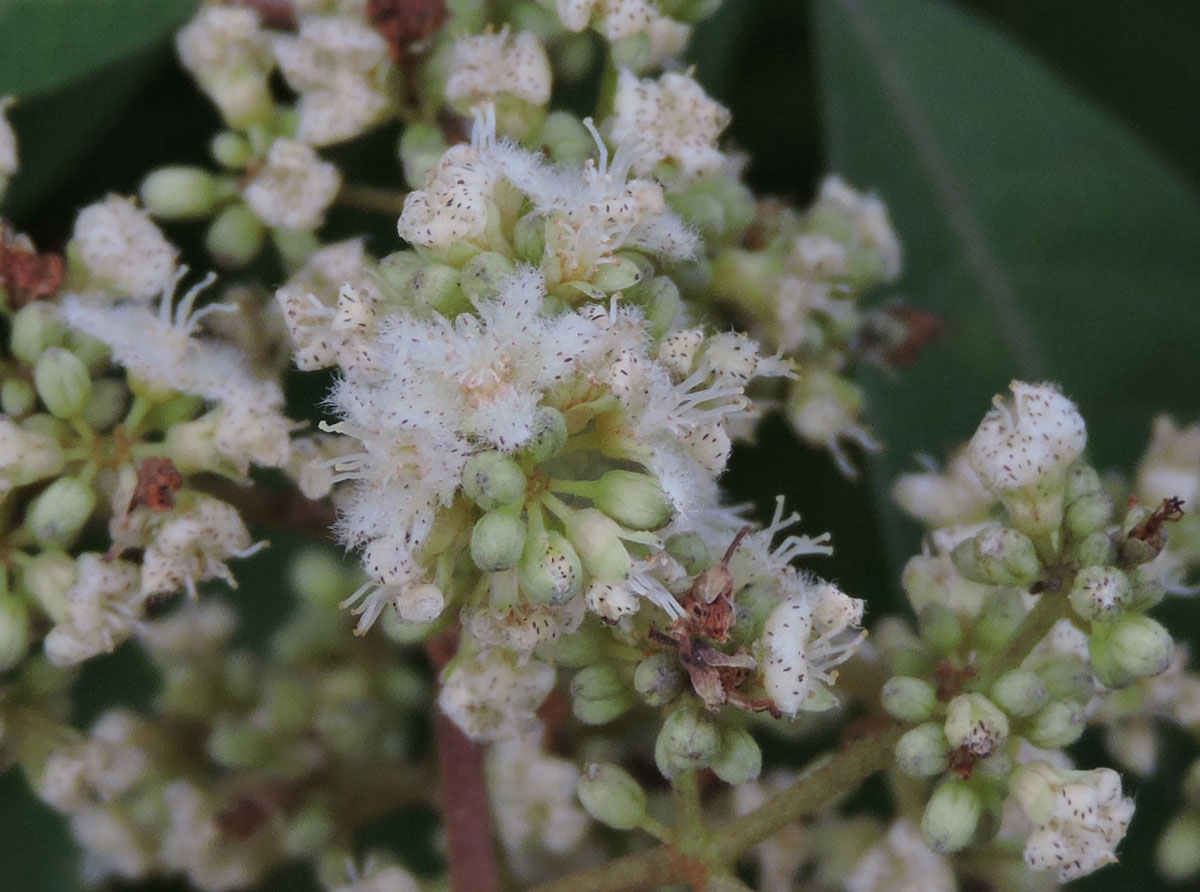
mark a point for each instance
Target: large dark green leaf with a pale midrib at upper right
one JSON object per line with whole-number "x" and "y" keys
{"x": 1055, "y": 244}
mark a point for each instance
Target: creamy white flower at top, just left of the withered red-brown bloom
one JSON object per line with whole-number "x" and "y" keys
{"x": 340, "y": 68}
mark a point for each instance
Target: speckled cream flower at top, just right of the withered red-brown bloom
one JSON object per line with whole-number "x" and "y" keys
{"x": 489, "y": 64}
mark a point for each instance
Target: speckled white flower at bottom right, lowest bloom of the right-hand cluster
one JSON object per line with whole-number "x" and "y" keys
{"x": 1079, "y": 818}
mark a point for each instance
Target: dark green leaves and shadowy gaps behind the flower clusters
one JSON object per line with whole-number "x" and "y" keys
{"x": 1041, "y": 163}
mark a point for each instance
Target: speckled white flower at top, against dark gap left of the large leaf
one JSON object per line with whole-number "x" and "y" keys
{"x": 671, "y": 119}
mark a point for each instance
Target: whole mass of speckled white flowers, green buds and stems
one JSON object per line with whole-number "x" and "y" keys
{"x": 467, "y": 429}
